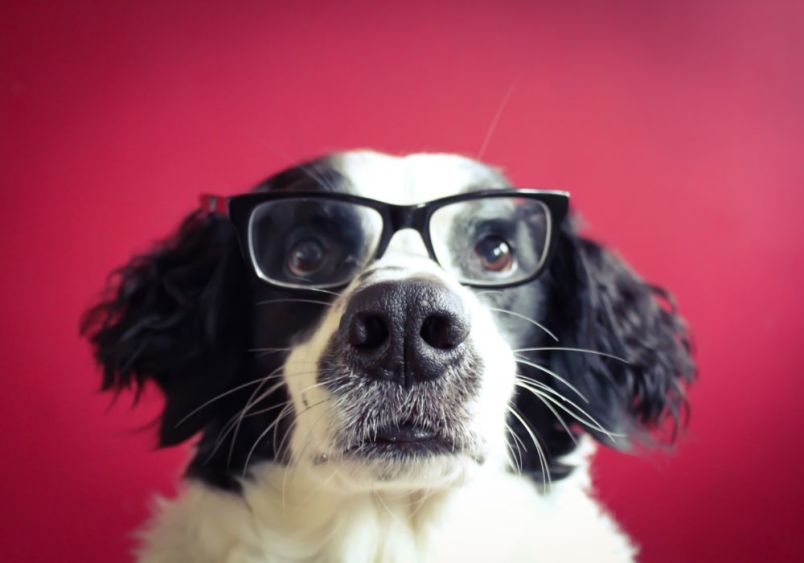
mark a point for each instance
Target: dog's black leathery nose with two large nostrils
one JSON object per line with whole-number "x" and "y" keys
{"x": 404, "y": 331}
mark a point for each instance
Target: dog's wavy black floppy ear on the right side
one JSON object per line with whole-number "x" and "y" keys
{"x": 599, "y": 304}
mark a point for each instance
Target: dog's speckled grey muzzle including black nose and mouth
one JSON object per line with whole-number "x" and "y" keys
{"x": 406, "y": 371}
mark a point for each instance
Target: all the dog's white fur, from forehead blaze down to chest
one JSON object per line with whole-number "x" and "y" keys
{"x": 327, "y": 507}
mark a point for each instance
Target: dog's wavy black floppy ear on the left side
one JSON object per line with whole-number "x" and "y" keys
{"x": 175, "y": 315}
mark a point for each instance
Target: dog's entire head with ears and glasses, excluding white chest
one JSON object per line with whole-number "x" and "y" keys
{"x": 394, "y": 321}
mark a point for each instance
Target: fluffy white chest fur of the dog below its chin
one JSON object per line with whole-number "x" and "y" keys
{"x": 499, "y": 519}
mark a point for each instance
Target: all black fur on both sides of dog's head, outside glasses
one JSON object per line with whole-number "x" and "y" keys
{"x": 186, "y": 316}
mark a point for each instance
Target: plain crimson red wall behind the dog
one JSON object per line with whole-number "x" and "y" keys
{"x": 677, "y": 126}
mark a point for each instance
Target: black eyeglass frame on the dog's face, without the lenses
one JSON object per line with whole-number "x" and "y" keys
{"x": 395, "y": 217}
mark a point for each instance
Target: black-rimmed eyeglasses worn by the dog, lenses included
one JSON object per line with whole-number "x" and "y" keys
{"x": 490, "y": 239}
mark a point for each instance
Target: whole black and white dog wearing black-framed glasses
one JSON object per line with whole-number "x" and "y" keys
{"x": 390, "y": 359}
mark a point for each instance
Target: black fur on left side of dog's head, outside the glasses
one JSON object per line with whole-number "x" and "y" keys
{"x": 185, "y": 316}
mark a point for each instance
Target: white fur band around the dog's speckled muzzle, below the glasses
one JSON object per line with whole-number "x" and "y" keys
{"x": 313, "y": 438}
